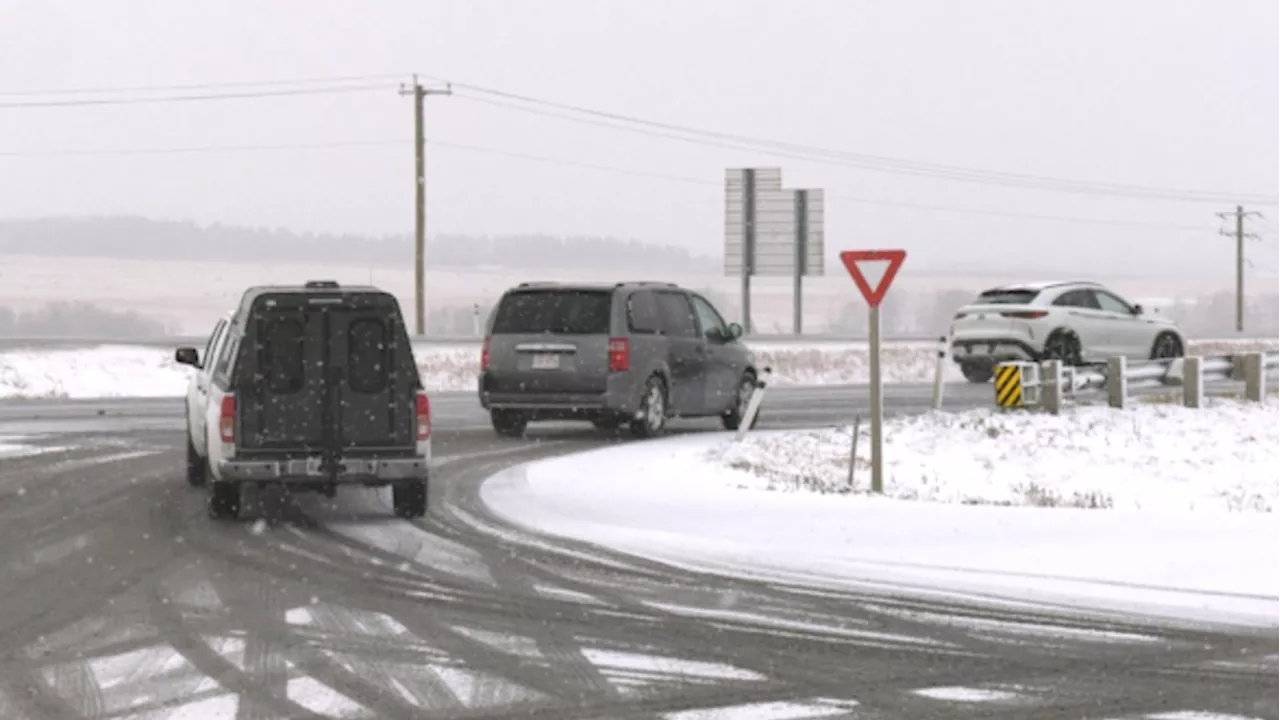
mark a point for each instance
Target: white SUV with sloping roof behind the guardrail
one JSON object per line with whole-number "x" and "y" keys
{"x": 1075, "y": 322}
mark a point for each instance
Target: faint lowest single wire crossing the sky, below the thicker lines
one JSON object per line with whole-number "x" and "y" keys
{"x": 596, "y": 167}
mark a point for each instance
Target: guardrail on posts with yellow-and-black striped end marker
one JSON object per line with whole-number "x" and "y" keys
{"x": 1049, "y": 385}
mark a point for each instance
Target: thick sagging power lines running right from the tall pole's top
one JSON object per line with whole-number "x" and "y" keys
{"x": 875, "y": 163}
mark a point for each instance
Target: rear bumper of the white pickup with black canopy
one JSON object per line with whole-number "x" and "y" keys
{"x": 355, "y": 471}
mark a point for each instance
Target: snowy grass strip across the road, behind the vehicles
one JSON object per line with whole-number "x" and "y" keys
{"x": 150, "y": 372}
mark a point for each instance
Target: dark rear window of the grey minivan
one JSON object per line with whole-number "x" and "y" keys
{"x": 555, "y": 312}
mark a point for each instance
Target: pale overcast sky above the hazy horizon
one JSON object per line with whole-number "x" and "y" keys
{"x": 1172, "y": 94}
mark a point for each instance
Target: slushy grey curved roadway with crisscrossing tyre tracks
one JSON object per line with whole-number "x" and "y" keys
{"x": 121, "y": 599}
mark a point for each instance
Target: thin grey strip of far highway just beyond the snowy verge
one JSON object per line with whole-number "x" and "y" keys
{"x": 199, "y": 341}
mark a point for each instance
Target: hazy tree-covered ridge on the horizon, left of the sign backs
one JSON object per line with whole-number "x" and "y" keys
{"x": 126, "y": 238}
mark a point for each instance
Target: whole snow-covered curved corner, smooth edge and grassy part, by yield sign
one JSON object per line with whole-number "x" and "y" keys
{"x": 1158, "y": 509}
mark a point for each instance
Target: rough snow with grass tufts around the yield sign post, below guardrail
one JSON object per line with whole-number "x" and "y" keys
{"x": 1224, "y": 458}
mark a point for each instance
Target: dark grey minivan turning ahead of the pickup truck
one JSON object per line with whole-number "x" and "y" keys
{"x": 621, "y": 354}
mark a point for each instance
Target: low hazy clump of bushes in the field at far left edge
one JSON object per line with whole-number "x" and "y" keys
{"x": 79, "y": 320}
